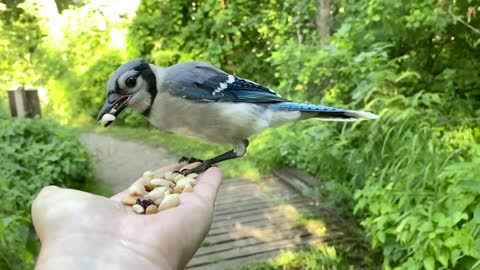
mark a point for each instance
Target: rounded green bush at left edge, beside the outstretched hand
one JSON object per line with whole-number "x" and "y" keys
{"x": 35, "y": 153}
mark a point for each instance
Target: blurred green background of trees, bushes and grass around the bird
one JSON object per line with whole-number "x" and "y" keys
{"x": 409, "y": 181}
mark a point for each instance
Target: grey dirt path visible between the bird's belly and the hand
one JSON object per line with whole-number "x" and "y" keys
{"x": 118, "y": 163}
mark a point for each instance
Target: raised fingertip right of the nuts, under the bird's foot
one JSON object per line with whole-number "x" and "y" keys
{"x": 208, "y": 184}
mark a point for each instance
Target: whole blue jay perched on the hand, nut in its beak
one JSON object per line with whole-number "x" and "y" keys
{"x": 201, "y": 101}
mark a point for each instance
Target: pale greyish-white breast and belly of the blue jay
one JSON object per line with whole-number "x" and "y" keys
{"x": 216, "y": 122}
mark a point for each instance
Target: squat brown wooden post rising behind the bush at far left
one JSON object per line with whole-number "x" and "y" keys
{"x": 24, "y": 103}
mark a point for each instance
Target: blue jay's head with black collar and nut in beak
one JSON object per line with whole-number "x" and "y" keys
{"x": 133, "y": 85}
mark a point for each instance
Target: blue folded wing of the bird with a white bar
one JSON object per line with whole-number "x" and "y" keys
{"x": 205, "y": 83}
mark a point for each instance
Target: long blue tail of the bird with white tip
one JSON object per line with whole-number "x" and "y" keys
{"x": 325, "y": 113}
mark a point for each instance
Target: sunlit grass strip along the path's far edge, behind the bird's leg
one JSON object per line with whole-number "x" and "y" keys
{"x": 181, "y": 146}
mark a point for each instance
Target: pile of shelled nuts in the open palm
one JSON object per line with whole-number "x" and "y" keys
{"x": 151, "y": 195}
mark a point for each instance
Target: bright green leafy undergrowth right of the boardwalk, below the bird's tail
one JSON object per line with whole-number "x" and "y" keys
{"x": 416, "y": 172}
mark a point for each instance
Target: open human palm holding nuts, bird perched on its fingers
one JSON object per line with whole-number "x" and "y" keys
{"x": 79, "y": 230}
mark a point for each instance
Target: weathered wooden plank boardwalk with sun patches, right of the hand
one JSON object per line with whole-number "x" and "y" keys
{"x": 255, "y": 221}
